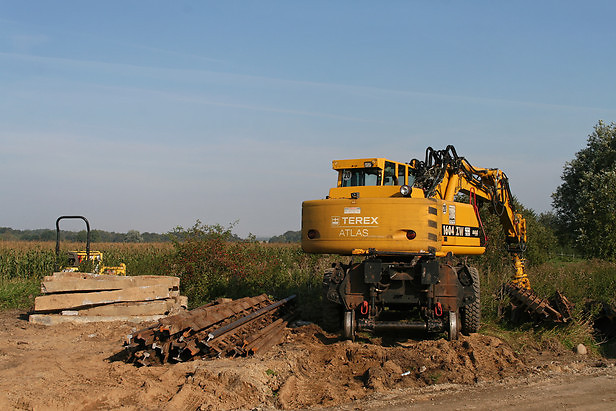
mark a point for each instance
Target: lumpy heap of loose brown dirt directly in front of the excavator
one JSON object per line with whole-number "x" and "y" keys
{"x": 320, "y": 369}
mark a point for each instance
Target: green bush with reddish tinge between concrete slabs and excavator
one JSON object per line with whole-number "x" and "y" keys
{"x": 211, "y": 263}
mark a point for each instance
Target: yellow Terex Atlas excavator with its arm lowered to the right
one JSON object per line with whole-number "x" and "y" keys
{"x": 410, "y": 226}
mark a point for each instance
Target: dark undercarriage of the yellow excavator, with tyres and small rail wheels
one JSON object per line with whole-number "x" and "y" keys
{"x": 403, "y": 293}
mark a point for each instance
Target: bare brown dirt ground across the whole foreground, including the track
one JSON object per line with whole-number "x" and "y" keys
{"x": 69, "y": 367}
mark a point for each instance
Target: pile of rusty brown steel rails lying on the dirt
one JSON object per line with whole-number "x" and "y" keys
{"x": 223, "y": 328}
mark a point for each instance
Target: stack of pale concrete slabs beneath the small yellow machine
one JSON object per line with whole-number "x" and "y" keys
{"x": 83, "y": 297}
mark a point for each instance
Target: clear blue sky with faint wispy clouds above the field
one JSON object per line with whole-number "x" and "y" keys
{"x": 148, "y": 115}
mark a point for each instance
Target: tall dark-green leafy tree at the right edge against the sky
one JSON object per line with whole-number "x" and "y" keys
{"x": 586, "y": 200}
